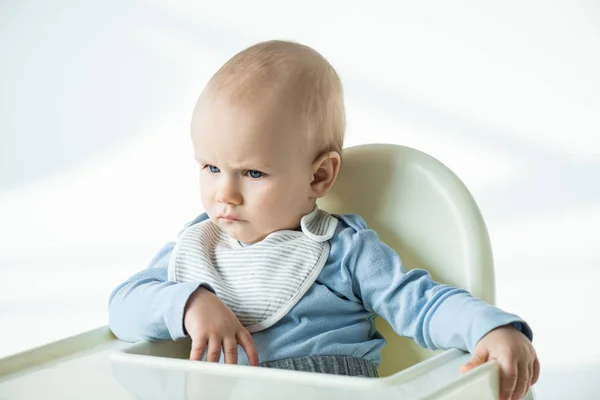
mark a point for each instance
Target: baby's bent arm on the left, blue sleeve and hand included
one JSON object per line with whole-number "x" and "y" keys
{"x": 149, "y": 307}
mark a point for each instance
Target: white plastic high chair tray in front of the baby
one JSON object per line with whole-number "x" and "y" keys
{"x": 95, "y": 365}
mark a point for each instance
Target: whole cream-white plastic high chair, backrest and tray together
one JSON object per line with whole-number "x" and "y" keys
{"x": 416, "y": 204}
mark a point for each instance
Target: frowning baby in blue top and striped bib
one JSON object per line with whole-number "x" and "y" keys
{"x": 267, "y": 270}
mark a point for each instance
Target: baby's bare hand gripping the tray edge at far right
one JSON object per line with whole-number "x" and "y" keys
{"x": 519, "y": 365}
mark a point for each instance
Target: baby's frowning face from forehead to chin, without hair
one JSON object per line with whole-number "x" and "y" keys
{"x": 255, "y": 172}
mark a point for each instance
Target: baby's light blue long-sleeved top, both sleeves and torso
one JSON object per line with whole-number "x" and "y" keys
{"x": 362, "y": 278}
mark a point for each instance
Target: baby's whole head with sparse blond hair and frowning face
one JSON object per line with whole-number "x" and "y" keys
{"x": 268, "y": 131}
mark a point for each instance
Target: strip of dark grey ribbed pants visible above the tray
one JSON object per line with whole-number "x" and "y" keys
{"x": 338, "y": 365}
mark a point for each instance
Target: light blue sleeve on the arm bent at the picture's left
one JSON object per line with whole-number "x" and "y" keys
{"x": 149, "y": 307}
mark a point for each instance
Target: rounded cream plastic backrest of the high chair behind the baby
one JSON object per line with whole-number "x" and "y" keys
{"x": 422, "y": 210}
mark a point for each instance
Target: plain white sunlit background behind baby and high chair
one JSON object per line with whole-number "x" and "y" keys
{"x": 96, "y": 168}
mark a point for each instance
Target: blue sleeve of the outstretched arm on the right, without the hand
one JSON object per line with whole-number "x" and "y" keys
{"x": 436, "y": 316}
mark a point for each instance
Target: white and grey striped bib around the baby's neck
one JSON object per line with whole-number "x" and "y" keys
{"x": 259, "y": 283}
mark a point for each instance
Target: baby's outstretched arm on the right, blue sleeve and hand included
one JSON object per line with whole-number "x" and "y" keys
{"x": 441, "y": 316}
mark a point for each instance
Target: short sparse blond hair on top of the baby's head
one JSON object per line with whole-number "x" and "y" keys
{"x": 297, "y": 71}
